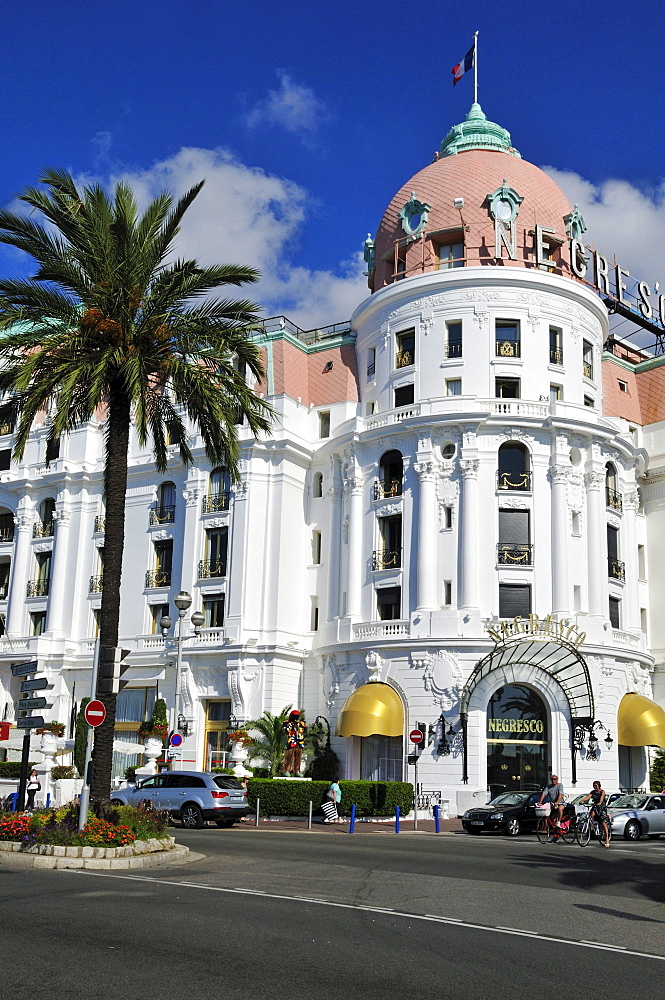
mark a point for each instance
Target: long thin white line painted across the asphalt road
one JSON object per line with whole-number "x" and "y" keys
{"x": 402, "y": 914}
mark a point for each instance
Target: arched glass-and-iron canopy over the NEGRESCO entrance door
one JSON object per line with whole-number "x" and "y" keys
{"x": 556, "y": 657}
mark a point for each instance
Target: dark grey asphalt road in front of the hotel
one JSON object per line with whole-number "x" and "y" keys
{"x": 269, "y": 911}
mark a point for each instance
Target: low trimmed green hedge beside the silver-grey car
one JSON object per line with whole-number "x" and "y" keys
{"x": 292, "y": 798}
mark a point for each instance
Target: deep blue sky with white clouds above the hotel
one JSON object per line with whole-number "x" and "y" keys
{"x": 305, "y": 118}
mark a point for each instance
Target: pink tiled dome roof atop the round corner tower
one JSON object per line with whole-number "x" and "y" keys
{"x": 473, "y": 175}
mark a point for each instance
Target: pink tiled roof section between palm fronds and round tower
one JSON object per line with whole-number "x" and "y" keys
{"x": 302, "y": 376}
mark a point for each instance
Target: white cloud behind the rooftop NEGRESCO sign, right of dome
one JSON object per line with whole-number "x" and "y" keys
{"x": 621, "y": 220}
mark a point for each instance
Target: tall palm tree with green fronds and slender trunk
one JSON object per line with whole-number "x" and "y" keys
{"x": 112, "y": 324}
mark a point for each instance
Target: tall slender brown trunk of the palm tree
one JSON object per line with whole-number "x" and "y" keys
{"x": 115, "y": 483}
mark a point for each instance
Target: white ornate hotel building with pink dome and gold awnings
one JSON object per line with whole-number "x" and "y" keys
{"x": 463, "y": 453}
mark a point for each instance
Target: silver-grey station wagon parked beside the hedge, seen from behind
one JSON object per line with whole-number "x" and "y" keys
{"x": 190, "y": 796}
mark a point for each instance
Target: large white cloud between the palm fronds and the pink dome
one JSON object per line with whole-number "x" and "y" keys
{"x": 246, "y": 216}
